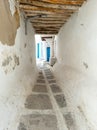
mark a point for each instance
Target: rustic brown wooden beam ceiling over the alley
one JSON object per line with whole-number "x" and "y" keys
{"x": 48, "y": 16}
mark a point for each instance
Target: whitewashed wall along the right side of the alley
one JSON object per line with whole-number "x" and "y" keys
{"x": 76, "y": 68}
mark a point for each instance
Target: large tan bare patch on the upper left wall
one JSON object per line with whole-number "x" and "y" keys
{"x": 8, "y": 23}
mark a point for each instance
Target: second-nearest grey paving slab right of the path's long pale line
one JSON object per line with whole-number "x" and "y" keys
{"x": 60, "y": 100}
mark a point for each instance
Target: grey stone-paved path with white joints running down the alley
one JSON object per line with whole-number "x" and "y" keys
{"x": 47, "y": 103}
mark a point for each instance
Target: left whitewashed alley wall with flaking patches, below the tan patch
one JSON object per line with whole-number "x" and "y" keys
{"x": 17, "y": 75}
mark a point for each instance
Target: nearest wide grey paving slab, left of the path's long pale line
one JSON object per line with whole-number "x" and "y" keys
{"x": 39, "y": 122}
